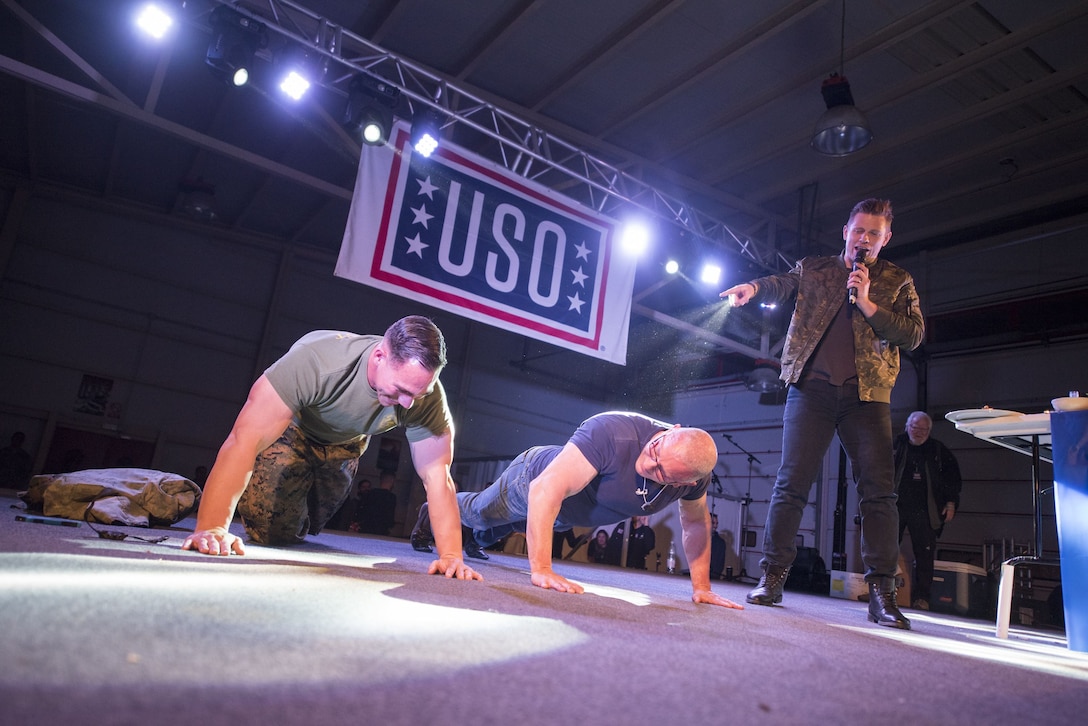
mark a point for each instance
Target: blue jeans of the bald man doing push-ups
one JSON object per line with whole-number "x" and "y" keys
{"x": 503, "y": 508}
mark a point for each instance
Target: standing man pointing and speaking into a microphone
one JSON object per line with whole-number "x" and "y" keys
{"x": 852, "y": 315}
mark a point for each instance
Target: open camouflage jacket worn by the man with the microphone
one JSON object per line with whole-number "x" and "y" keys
{"x": 820, "y": 287}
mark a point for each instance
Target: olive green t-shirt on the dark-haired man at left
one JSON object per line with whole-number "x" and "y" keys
{"x": 324, "y": 379}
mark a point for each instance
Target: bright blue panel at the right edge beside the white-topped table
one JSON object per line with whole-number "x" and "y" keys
{"x": 1070, "y": 437}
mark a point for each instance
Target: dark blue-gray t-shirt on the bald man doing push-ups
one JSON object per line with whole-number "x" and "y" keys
{"x": 612, "y": 444}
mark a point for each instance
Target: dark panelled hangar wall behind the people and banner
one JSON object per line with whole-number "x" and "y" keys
{"x": 134, "y": 337}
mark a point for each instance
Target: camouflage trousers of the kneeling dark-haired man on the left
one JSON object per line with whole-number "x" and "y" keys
{"x": 296, "y": 488}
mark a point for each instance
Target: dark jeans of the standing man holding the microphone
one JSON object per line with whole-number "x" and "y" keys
{"x": 814, "y": 412}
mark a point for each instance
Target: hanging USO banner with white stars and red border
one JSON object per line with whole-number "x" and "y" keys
{"x": 462, "y": 235}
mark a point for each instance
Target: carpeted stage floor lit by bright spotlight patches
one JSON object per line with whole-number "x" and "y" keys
{"x": 351, "y": 630}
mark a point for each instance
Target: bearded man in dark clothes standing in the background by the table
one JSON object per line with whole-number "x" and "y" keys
{"x": 929, "y": 484}
